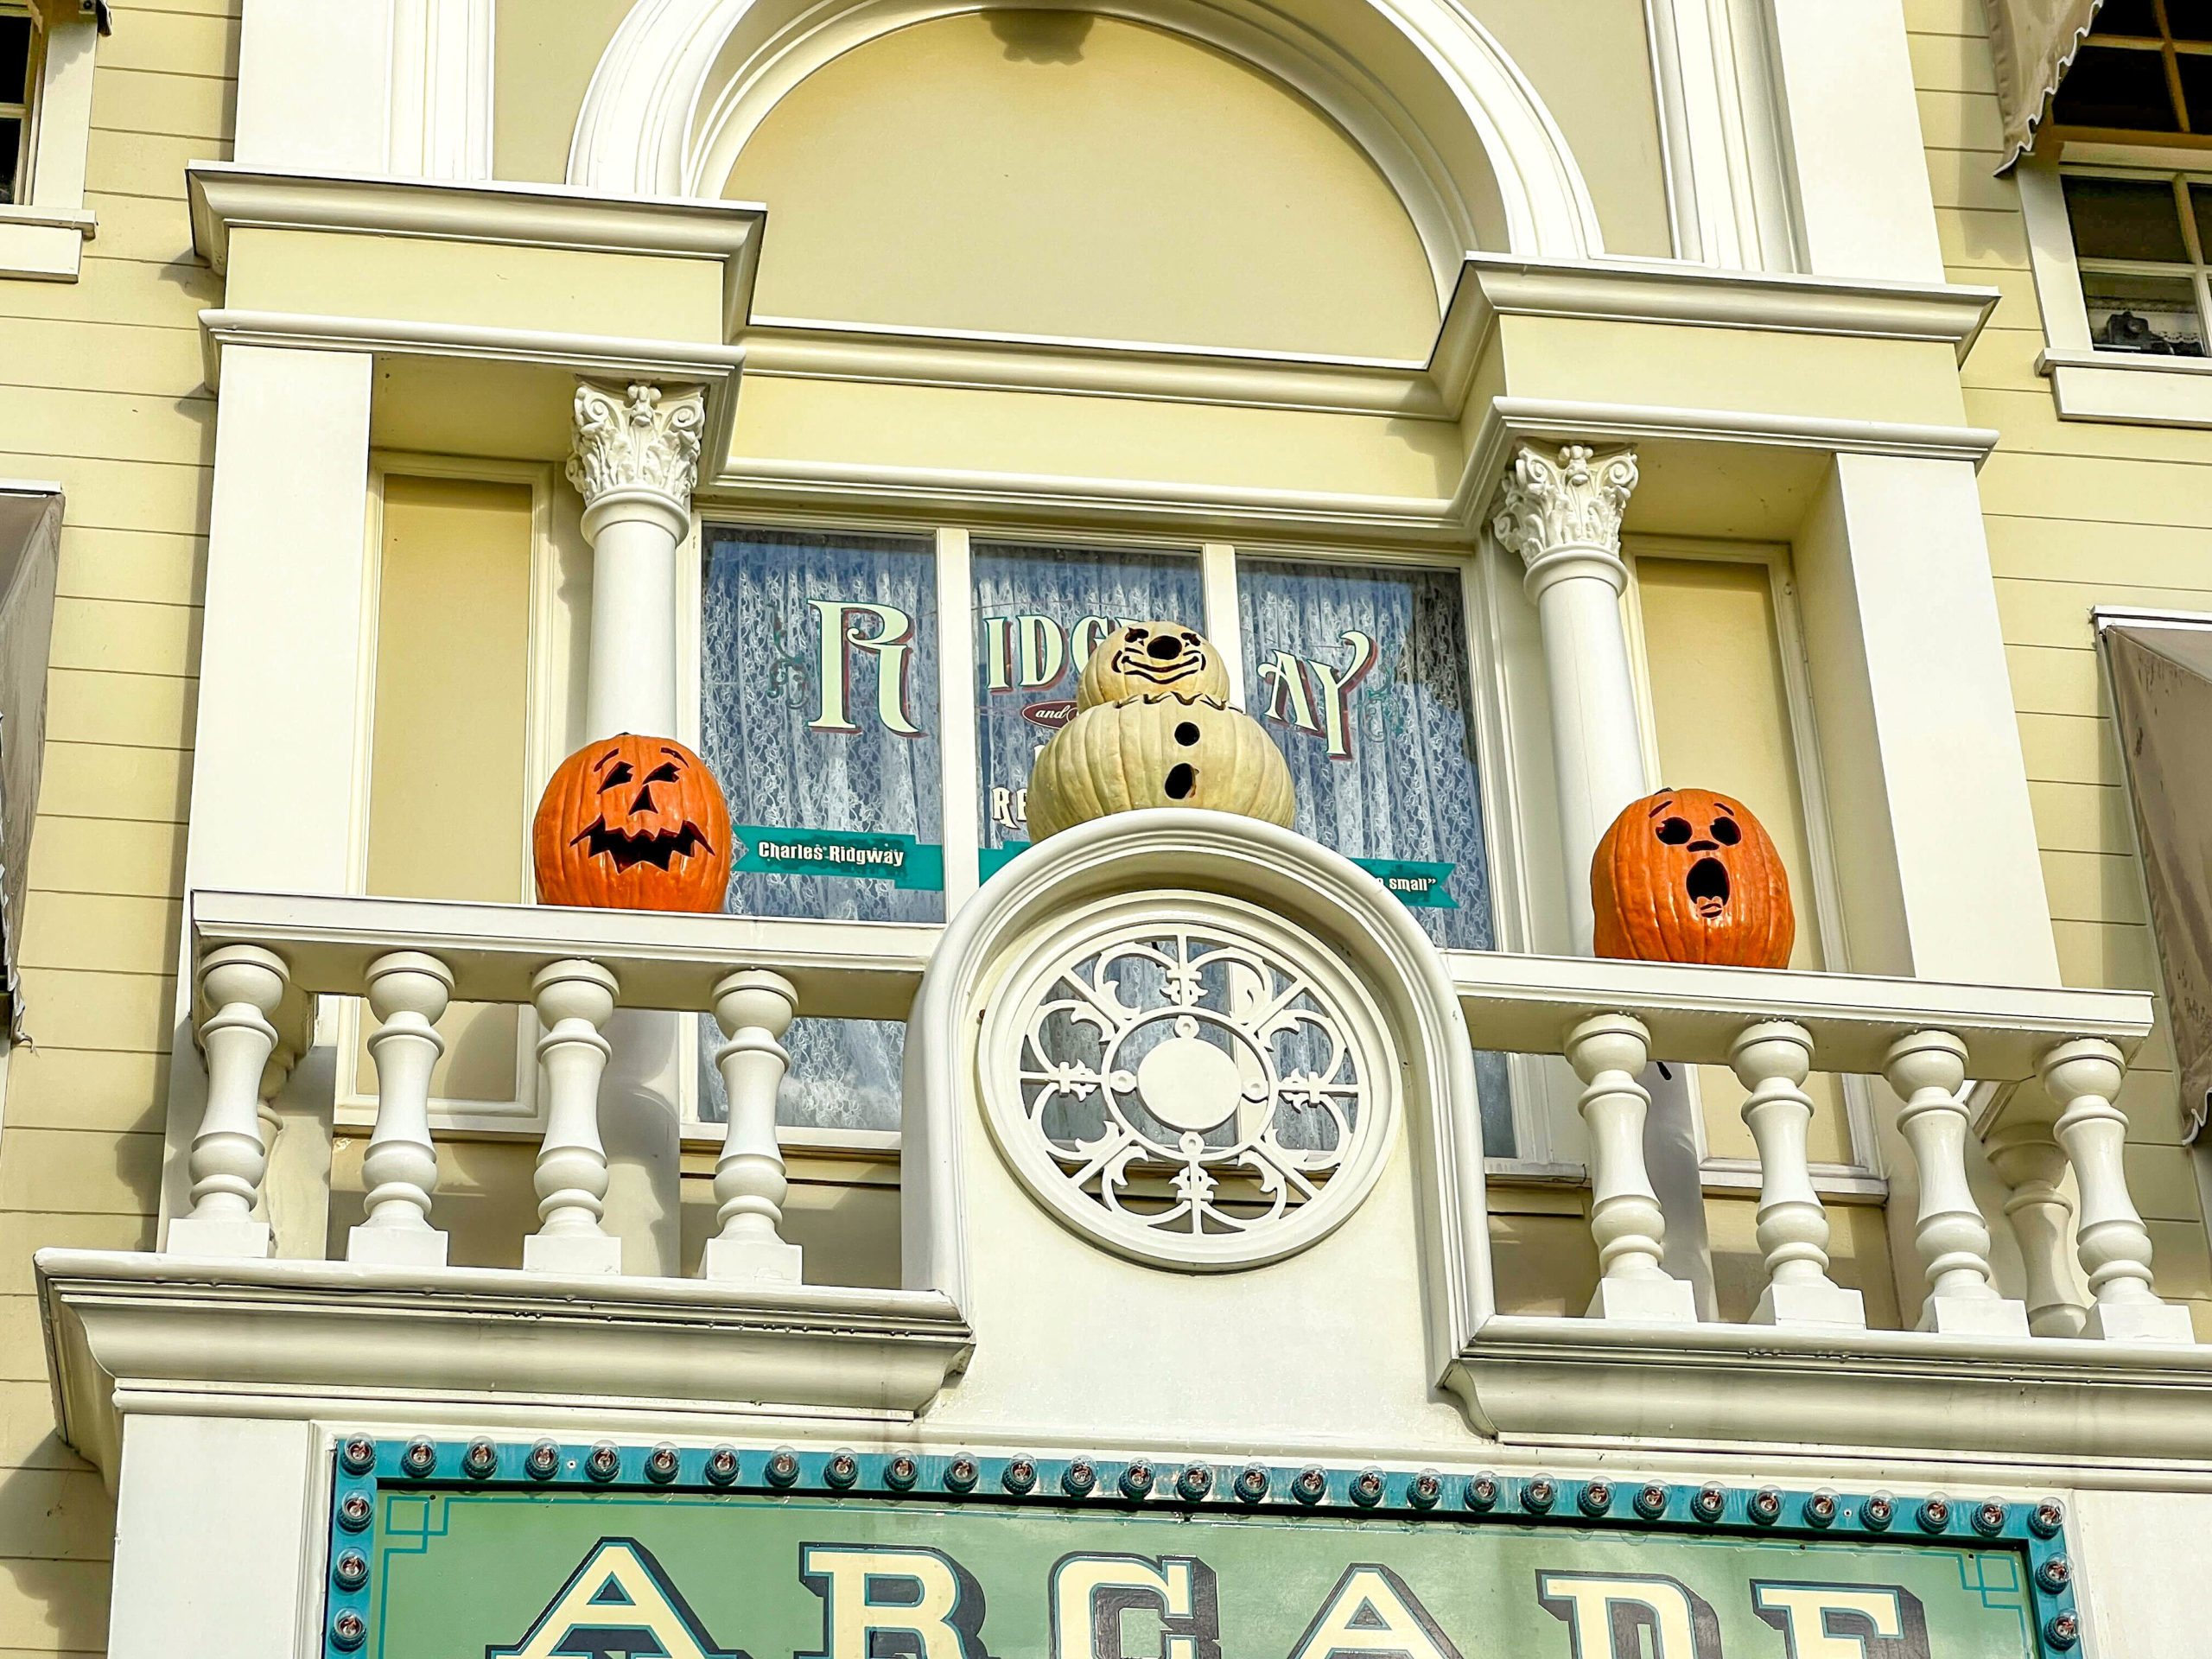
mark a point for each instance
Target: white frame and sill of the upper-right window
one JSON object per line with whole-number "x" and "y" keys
{"x": 2089, "y": 384}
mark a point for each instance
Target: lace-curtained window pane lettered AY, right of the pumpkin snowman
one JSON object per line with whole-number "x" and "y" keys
{"x": 1361, "y": 676}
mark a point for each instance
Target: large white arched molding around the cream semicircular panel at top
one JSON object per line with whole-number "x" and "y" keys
{"x": 1426, "y": 92}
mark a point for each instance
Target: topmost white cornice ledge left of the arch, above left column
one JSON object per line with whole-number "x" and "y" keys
{"x": 225, "y": 198}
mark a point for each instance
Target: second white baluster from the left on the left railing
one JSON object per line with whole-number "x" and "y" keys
{"x": 408, "y": 994}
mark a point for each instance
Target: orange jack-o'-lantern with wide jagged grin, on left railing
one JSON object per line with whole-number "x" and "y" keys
{"x": 634, "y": 824}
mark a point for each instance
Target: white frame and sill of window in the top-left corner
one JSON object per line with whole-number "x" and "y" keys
{"x": 45, "y": 236}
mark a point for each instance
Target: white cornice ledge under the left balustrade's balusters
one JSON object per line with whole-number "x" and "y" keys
{"x": 302, "y": 1339}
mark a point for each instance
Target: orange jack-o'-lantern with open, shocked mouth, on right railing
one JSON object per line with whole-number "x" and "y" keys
{"x": 1691, "y": 877}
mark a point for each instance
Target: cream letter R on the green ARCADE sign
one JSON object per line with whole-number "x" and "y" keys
{"x": 893, "y": 1603}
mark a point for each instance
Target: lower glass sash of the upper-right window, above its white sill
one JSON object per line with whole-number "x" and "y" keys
{"x": 2142, "y": 249}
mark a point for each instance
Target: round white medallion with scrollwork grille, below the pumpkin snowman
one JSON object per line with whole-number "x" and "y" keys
{"x": 1189, "y": 1081}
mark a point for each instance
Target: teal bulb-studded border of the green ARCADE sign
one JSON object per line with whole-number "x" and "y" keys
{"x": 371, "y": 1468}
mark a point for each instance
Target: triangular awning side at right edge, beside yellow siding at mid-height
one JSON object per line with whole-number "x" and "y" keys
{"x": 2162, "y": 698}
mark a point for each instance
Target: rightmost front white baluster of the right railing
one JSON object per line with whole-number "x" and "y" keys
{"x": 2116, "y": 1246}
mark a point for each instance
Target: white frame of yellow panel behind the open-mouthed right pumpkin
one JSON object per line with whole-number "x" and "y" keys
{"x": 1864, "y": 1178}
